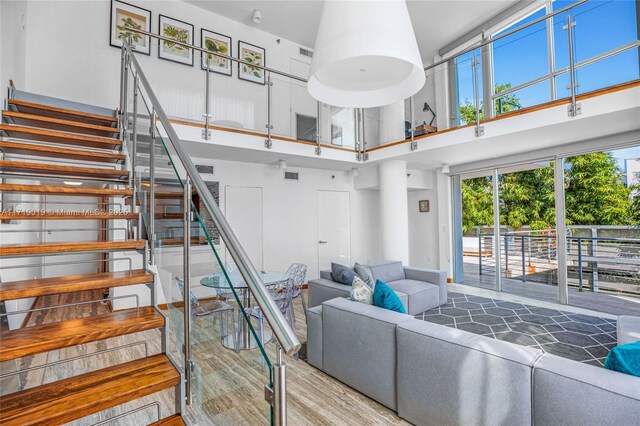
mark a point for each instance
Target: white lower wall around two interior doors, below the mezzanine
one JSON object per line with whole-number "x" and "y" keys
{"x": 290, "y": 211}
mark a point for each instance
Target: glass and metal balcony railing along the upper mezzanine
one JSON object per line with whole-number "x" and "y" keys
{"x": 282, "y": 110}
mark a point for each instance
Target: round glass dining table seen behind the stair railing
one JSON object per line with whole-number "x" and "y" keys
{"x": 244, "y": 339}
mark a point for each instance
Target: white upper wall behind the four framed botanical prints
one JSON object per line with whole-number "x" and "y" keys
{"x": 77, "y": 63}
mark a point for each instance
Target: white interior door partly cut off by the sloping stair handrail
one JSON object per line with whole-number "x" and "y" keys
{"x": 244, "y": 213}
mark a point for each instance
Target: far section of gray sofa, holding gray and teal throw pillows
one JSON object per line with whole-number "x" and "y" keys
{"x": 419, "y": 289}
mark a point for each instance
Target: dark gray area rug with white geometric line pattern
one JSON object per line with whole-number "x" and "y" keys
{"x": 578, "y": 337}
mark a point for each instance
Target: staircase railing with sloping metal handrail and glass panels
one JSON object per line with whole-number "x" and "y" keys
{"x": 184, "y": 244}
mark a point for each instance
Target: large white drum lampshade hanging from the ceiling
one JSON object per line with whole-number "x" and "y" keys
{"x": 366, "y": 55}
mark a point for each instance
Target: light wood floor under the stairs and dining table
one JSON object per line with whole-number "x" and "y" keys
{"x": 228, "y": 387}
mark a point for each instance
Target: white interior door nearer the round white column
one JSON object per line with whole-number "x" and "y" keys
{"x": 334, "y": 228}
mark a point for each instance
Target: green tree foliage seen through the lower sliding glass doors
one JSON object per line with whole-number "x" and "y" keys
{"x": 595, "y": 194}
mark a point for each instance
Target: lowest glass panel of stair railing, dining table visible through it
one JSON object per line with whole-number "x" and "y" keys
{"x": 229, "y": 338}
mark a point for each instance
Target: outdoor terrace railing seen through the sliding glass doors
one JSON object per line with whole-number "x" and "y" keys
{"x": 597, "y": 262}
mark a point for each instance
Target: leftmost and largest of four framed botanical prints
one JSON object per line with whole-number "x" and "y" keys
{"x": 124, "y": 16}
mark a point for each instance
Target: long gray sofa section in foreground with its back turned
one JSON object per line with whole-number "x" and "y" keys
{"x": 437, "y": 375}
